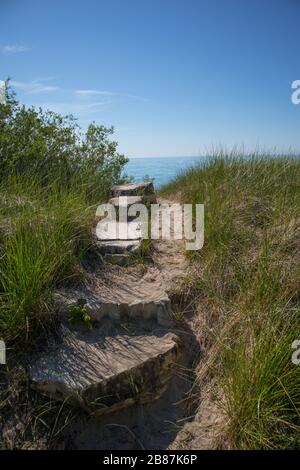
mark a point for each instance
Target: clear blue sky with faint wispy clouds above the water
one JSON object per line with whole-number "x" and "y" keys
{"x": 175, "y": 77}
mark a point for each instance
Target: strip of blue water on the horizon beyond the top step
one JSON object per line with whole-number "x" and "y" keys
{"x": 162, "y": 169}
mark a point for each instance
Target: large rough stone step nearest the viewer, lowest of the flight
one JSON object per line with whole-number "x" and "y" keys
{"x": 108, "y": 367}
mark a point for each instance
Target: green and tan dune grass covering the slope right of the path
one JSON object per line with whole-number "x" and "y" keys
{"x": 246, "y": 282}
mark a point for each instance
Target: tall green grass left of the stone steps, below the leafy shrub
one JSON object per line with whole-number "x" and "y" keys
{"x": 44, "y": 231}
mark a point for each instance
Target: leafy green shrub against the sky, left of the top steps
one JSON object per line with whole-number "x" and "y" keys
{"x": 53, "y": 147}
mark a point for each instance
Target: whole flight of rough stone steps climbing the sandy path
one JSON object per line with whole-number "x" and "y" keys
{"x": 129, "y": 354}
